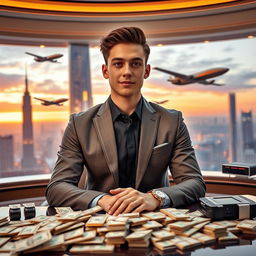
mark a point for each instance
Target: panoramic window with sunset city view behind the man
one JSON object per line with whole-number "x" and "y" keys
{"x": 205, "y": 108}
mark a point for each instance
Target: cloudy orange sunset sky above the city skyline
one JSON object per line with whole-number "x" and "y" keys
{"x": 51, "y": 80}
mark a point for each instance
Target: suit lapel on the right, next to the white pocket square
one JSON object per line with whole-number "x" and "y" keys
{"x": 148, "y": 132}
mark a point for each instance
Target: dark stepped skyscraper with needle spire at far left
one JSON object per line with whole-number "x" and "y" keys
{"x": 28, "y": 159}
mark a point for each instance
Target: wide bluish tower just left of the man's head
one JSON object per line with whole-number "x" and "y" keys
{"x": 80, "y": 78}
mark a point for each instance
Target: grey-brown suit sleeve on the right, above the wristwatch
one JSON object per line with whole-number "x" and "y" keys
{"x": 189, "y": 183}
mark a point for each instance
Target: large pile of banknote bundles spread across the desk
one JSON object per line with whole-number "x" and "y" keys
{"x": 90, "y": 231}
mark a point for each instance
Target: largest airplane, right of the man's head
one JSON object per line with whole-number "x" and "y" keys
{"x": 182, "y": 79}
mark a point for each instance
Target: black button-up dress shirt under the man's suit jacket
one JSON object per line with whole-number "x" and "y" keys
{"x": 127, "y": 134}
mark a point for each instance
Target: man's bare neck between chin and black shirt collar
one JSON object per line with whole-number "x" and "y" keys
{"x": 126, "y": 104}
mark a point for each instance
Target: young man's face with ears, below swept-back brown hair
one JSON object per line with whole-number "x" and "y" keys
{"x": 126, "y": 69}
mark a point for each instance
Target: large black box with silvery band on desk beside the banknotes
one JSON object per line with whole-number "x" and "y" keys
{"x": 228, "y": 207}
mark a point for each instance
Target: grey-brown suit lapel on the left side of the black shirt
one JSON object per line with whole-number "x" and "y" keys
{"x": 104, "y": 127}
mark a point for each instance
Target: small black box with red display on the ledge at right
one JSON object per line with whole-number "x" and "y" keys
{"x": 239, "y": 168}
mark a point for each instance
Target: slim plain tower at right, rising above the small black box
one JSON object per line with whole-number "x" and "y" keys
{"x": 232, "y": 128}
